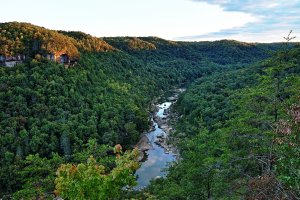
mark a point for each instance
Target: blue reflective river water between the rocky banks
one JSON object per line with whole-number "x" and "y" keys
{"x": 157, "y": 158}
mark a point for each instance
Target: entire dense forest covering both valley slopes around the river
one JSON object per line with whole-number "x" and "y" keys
{"x": 59, "y": 125}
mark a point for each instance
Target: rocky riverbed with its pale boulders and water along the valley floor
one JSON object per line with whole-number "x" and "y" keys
{"x": 157, "y": 149}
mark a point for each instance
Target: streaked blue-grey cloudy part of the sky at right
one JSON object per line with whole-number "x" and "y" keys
{"x": 273, "y": 19}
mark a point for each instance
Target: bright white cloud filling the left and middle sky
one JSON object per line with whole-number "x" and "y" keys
{"x": 168, "y": 18}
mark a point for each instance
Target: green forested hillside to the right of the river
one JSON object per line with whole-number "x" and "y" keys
{"x": 239, "y": 134}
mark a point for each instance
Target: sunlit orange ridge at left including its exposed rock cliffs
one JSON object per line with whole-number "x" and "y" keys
{"x": 24, "y": 41}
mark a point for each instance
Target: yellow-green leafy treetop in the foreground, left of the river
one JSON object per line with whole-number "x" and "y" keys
{"x": 89, "y": 181}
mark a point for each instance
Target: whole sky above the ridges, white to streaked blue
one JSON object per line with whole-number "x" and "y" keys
{"x": 186, "y": 20}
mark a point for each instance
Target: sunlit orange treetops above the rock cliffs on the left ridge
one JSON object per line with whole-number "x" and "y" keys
{"x": 27, "y": 39}
